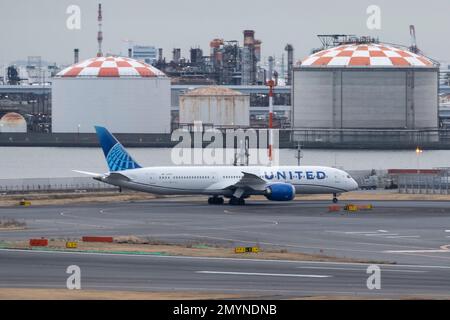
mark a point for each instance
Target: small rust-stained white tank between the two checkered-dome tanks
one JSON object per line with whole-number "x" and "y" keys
{"x": 215, "y": 105}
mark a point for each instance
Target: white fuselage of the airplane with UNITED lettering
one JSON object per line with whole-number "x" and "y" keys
{"x": 215, "y": 180}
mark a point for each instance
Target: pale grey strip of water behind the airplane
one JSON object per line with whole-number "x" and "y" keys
{"x": 45, "y": 162}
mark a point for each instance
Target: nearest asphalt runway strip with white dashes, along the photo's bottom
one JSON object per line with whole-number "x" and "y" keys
{"x": 256, "y": 279}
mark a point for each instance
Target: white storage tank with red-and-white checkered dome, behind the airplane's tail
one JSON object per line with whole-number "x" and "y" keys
{"x": 123, "y": 94}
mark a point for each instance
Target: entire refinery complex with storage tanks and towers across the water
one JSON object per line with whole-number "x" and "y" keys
{"x": 345, "y": 90}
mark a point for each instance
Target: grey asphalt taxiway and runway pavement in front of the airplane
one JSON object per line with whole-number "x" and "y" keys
{"x": 412, "y": 234}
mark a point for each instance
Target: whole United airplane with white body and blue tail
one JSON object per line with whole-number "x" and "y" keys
{"x": 237, "y": 183}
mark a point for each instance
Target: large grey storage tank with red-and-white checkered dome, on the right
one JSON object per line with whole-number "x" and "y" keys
{"x": 365, "y": 86}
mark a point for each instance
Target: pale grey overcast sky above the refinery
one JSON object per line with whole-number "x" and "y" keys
{"x": 38, "y": 27}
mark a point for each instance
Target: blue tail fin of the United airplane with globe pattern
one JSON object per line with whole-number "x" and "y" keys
{"x": 116, "y": 156}
